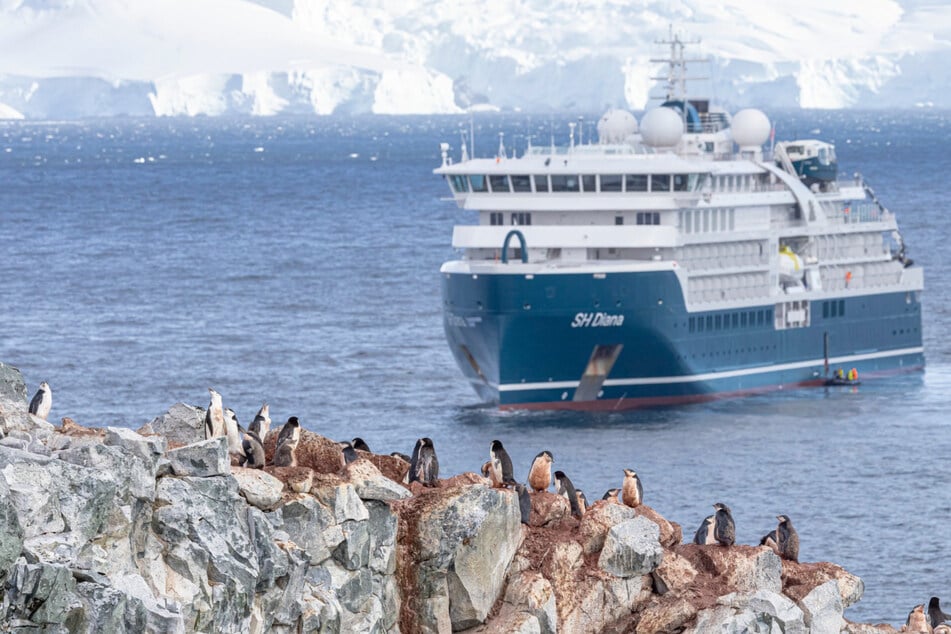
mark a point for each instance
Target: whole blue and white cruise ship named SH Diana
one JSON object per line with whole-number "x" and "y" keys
{"x": 683, "y": 258}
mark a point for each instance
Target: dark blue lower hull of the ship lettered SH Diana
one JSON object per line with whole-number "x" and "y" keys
{"x": 526, "y": 341}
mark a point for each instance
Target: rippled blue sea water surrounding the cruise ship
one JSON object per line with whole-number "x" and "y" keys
{"x": 295, "y": 261}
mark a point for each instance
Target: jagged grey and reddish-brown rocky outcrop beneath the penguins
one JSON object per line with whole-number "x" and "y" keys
{"x": 155, "y": 531}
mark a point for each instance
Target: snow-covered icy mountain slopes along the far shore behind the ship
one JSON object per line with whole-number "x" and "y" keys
{"x": 77, "y": 58}
